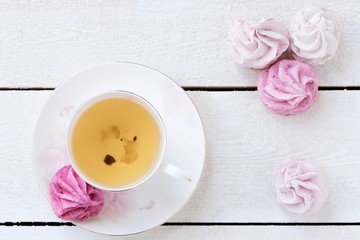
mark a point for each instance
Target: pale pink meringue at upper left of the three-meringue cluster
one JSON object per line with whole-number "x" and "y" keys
{"x": 258, "y": 43}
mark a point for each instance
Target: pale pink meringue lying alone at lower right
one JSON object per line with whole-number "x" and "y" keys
{"x": 300, "y": 187}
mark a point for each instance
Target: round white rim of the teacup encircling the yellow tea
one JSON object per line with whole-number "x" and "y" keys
{"x": 117, "y": 94}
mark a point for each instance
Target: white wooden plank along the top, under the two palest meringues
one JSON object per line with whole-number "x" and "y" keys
{"x": 45, "y": 42}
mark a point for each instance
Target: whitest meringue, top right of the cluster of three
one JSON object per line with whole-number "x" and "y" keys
{"x": 315, "y": 35}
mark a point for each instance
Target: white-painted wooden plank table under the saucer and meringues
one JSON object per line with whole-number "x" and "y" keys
{"x": 44, "y": 42}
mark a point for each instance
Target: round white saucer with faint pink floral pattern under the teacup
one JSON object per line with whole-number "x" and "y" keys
{"x": 155, "y": 201}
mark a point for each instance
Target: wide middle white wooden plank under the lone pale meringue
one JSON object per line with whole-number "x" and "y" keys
{"x": 245, "y": 143}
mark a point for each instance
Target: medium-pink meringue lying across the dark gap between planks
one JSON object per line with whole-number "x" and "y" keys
{"x": 288, "y": 87}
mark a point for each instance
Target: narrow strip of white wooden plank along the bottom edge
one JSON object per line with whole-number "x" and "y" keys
{"x": 185, "y": 232}
